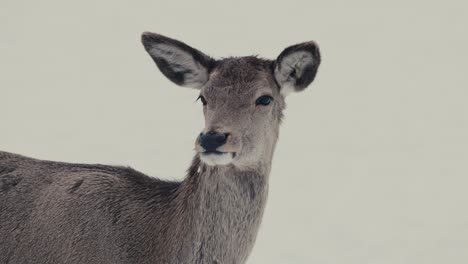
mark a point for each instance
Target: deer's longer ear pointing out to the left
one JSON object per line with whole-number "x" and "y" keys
{"x": 179, "y": 62}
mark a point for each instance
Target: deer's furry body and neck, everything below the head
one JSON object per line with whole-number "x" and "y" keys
{"x": 55, "y": 212}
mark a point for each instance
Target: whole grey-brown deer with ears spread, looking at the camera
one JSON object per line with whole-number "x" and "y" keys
{"x": 58, "y": 212}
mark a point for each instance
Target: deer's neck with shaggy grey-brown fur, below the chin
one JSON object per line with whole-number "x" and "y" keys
{"x": 226, "y": 206}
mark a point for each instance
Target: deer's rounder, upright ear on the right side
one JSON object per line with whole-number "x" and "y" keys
{"x": 296, "y": 67}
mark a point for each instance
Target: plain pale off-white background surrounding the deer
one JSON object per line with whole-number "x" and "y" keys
{"x": 371, "y": 165}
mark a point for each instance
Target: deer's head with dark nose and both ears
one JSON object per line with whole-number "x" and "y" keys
{"x": 243, "y": 97}
